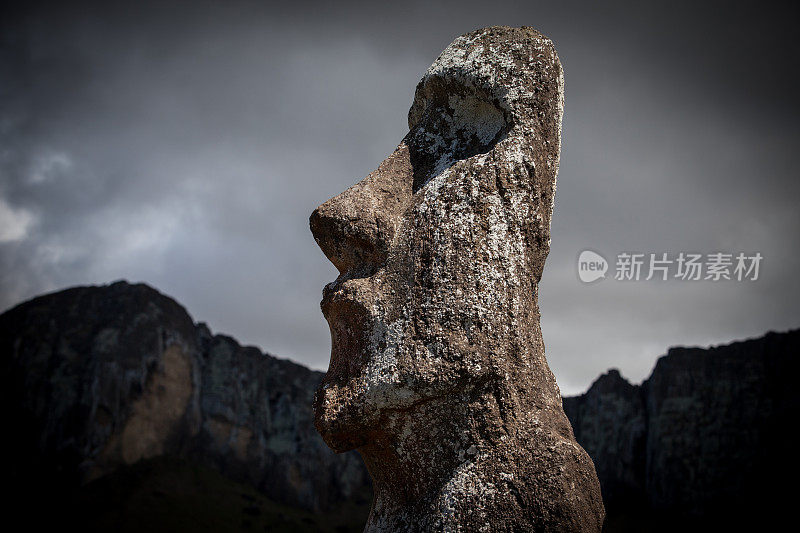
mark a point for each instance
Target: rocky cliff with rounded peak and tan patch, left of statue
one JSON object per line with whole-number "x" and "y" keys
{"x": 98, "y": 377}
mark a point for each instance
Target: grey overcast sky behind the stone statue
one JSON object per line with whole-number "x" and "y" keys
{"x": 185, "y": 144}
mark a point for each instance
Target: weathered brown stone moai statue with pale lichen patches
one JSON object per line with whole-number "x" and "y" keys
{"x": 438, "y": 374}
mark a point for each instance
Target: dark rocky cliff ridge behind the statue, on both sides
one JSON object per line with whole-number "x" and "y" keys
{"x": 101, "y": 384}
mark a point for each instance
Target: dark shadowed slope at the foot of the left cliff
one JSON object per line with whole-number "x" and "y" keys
{"x": 168, "y": 494}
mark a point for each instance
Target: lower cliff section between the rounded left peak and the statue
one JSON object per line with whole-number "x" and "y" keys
{"x": 257, "y": 425}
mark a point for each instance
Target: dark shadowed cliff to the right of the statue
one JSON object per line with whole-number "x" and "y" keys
{"x": 704, "y": 436}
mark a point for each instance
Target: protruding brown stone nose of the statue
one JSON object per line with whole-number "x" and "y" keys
{"x": 356, "y": 228}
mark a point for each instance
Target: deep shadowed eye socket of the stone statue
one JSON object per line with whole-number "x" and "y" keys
{"x": 450, "y": 123}
